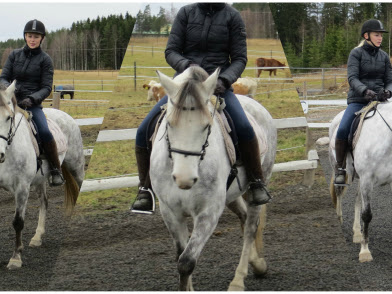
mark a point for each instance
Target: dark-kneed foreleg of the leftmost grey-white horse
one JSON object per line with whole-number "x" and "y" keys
{"x": 18, "y": 224}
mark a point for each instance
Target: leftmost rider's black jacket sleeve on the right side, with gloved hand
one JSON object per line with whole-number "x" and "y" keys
{"x": 46, "y": 81}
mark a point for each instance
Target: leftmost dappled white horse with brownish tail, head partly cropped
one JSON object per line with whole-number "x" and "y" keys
{"x": 18, "y": 166}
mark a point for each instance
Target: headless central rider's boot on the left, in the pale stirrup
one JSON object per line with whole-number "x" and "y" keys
{"x": 145, "y": 202}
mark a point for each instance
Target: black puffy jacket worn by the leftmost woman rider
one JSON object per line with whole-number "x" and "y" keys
{"x": 33, "y": 71}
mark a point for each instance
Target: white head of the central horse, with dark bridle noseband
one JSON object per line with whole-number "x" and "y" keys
{"x": 188, "y": 121}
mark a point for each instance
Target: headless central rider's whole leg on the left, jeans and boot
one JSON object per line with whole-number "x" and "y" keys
{"x": 144, "y": 201}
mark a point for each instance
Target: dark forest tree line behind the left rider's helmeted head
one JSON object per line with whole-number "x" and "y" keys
{"x": 100, "y": 43}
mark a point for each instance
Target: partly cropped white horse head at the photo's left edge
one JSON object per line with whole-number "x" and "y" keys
{"x": 7, "y": 116}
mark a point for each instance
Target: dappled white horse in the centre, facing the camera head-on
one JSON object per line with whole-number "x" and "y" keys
{"x": 189, "y": 170}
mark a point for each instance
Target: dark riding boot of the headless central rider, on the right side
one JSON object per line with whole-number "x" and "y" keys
{"x": 250, "y": 154}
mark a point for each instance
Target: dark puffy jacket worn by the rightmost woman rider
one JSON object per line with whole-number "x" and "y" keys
{"x": 368, "y": 67}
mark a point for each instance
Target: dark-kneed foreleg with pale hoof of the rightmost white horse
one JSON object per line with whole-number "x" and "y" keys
{"x": 366, "y": 216}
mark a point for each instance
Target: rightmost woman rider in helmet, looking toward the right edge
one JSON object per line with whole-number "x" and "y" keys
{"x": 369, "y": 74}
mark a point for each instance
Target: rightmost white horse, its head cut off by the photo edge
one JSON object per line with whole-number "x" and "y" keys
{"x": 372, "y": 164}
